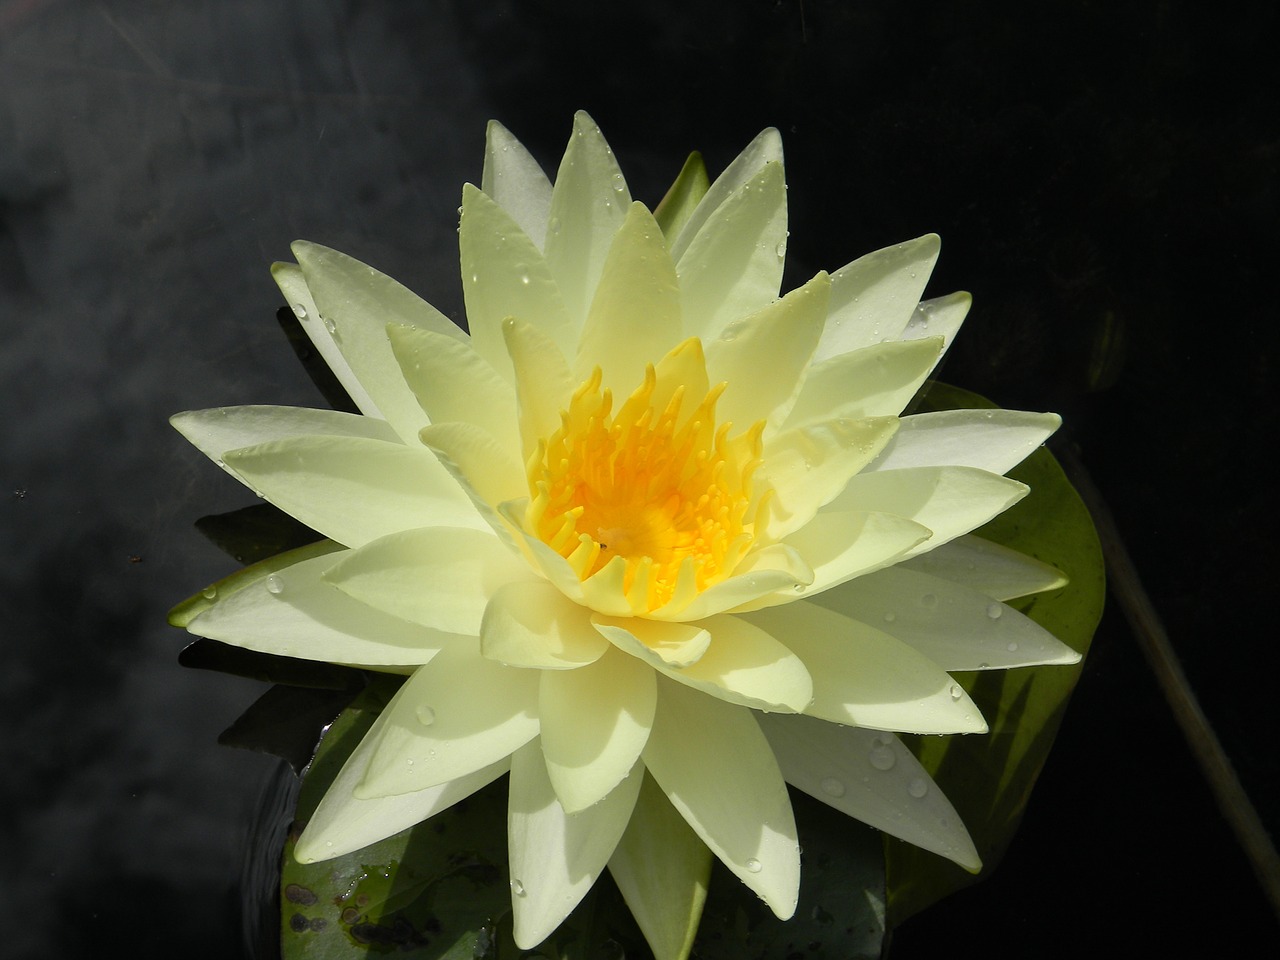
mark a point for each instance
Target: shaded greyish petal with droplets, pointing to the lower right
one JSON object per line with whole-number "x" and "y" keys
{"x": 872, "y": 778}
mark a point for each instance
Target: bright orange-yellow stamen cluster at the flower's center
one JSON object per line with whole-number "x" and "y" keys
{"x": 660, "y": 487}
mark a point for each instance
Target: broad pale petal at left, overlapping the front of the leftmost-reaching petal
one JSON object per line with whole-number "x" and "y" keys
{"x": 354, "y": 490}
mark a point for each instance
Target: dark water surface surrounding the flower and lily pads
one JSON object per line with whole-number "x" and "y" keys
{"x": 1104, "y": 176}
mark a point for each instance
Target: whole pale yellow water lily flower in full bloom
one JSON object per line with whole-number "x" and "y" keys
{"x": 652, "y": 538}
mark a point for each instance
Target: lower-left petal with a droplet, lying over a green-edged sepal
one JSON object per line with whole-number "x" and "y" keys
{"x": 294, "y": 612}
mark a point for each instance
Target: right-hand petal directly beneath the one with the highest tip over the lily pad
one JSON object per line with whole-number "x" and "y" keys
{"x": 949, "y": 501}
